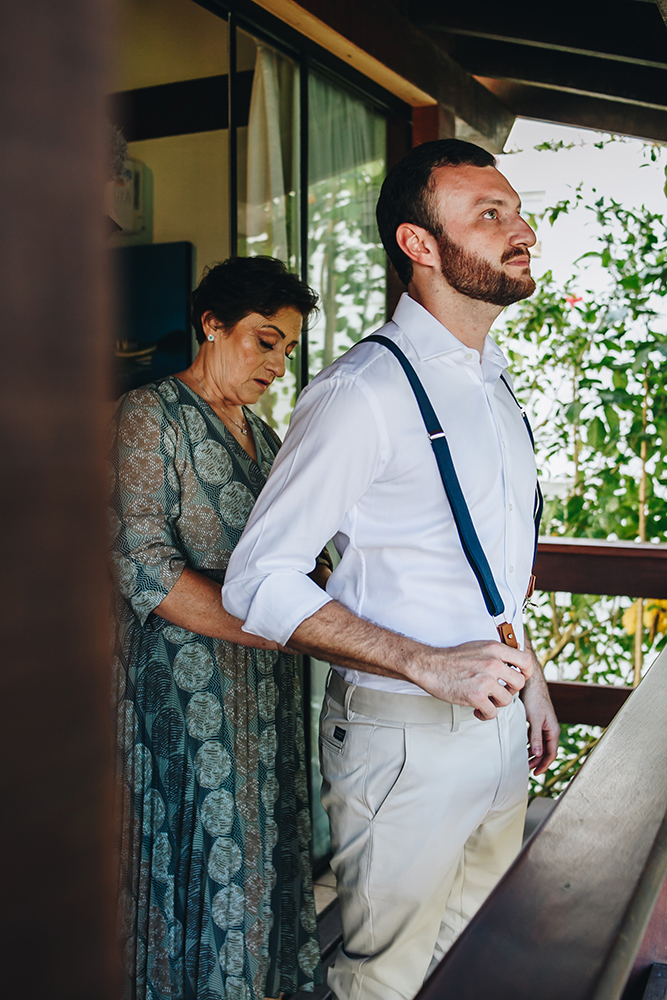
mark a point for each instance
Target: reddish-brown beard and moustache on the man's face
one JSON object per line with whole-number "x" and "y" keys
{"x": 472, "y": 276}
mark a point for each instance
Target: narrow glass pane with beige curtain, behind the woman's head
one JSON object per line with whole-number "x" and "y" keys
{"x": 268, "y": 188}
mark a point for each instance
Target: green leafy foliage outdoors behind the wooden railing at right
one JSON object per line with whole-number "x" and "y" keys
{"x": 591, "y": 363}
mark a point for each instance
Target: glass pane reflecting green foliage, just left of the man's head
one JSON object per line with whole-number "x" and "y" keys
{"x": 346, "y": 263}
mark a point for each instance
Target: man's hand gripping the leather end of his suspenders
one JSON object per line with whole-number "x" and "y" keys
{"x": 476, "y": 674}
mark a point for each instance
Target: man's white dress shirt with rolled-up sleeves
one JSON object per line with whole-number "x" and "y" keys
{"x": 357, "y": 466}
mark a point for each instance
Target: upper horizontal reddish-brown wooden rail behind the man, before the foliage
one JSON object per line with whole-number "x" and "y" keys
{"x": 590, "y": 566}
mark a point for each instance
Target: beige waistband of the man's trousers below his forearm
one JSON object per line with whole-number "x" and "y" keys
{"x": 408, "y": 708}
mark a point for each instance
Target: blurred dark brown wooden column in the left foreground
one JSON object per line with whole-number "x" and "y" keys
{"x": 55, "y": 918}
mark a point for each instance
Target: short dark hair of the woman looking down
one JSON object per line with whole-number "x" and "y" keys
{"x": 239, "y": 286}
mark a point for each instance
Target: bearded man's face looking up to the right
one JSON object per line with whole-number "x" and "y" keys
{"x": 484, "y": 244}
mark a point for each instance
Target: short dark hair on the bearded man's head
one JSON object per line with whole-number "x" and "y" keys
{"x": 407, "y": 192}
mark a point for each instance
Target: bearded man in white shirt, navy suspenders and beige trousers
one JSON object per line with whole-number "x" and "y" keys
{"x": 423, "y": 735}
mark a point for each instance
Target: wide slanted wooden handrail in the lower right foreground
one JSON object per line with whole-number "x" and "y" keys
{"x": 567, "y": 919}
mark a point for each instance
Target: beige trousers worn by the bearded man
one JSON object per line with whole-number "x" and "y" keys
{"x": 426, "y": 806}
